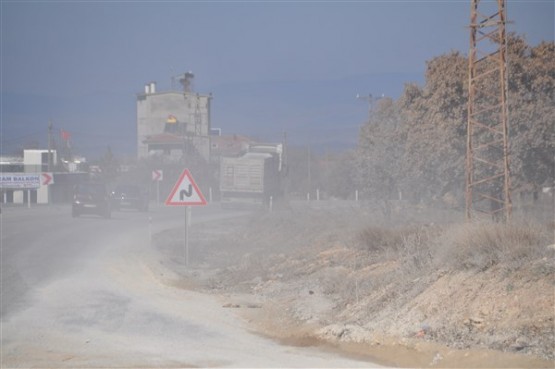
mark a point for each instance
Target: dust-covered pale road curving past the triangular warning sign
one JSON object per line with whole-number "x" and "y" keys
{"x": 82, "y": 293}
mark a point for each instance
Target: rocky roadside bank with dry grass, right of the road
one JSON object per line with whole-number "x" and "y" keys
{"x": 387, "y": 289}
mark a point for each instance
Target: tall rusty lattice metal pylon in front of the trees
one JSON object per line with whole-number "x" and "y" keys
{"x": 487, "y": 157}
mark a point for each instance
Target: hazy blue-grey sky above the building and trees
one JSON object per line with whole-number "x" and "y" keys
{"x": 271, "y": 66}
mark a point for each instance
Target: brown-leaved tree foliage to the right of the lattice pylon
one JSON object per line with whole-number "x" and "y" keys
{"x": 531, "y": 99}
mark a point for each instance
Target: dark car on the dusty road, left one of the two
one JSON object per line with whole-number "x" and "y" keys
{"x": 91, "y": 198}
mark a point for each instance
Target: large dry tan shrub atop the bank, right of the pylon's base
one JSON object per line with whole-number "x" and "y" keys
{"x": 479, "y": 246}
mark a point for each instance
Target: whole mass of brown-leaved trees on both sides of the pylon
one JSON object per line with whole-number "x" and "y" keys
{"x": 418, "y": 143}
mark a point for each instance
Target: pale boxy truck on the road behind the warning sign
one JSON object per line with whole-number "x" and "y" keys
{"x": 253, "y": 179}
